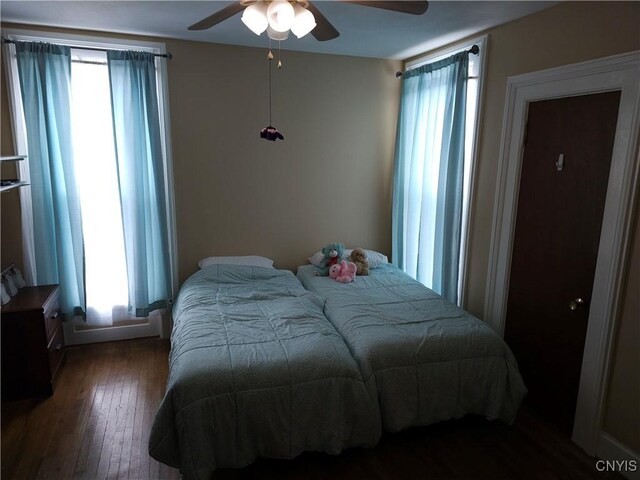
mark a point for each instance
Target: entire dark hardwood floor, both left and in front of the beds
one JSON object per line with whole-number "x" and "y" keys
{"x": 97, "y": 423}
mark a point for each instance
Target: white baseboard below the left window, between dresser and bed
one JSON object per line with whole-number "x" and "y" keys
{"x": 74, "y": 334}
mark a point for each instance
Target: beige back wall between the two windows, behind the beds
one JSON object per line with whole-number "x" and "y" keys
{"x": 329, "y": 180}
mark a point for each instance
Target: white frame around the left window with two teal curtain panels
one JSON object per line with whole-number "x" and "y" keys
{"x": 19, "y": 132}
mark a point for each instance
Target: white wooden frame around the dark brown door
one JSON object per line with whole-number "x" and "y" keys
{"x": 619, "y": 72}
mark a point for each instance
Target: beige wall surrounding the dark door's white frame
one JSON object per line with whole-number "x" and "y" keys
{"x": 568, "y": 33}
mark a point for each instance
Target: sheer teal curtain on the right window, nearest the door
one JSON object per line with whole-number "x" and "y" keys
{"x": 428, "y": 173}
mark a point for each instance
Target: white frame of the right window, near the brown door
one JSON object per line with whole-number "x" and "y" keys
{"x": 468, "y": 208}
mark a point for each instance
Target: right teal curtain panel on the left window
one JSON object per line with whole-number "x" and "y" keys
{"x": 141, "y": 178}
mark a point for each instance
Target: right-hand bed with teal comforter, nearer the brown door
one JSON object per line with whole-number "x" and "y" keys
{"x": 427, "y": 359}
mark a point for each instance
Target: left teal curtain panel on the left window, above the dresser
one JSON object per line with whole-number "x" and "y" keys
{"x": 45, "y": 72}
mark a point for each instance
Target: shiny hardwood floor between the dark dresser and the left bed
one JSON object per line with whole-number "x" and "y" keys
{"x": 97, "y": 423}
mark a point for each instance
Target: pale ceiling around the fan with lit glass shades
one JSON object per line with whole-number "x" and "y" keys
{"x": 364, "y": 31}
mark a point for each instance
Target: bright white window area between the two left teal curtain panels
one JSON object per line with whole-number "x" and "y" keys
{"x": 93, "y": 143}
